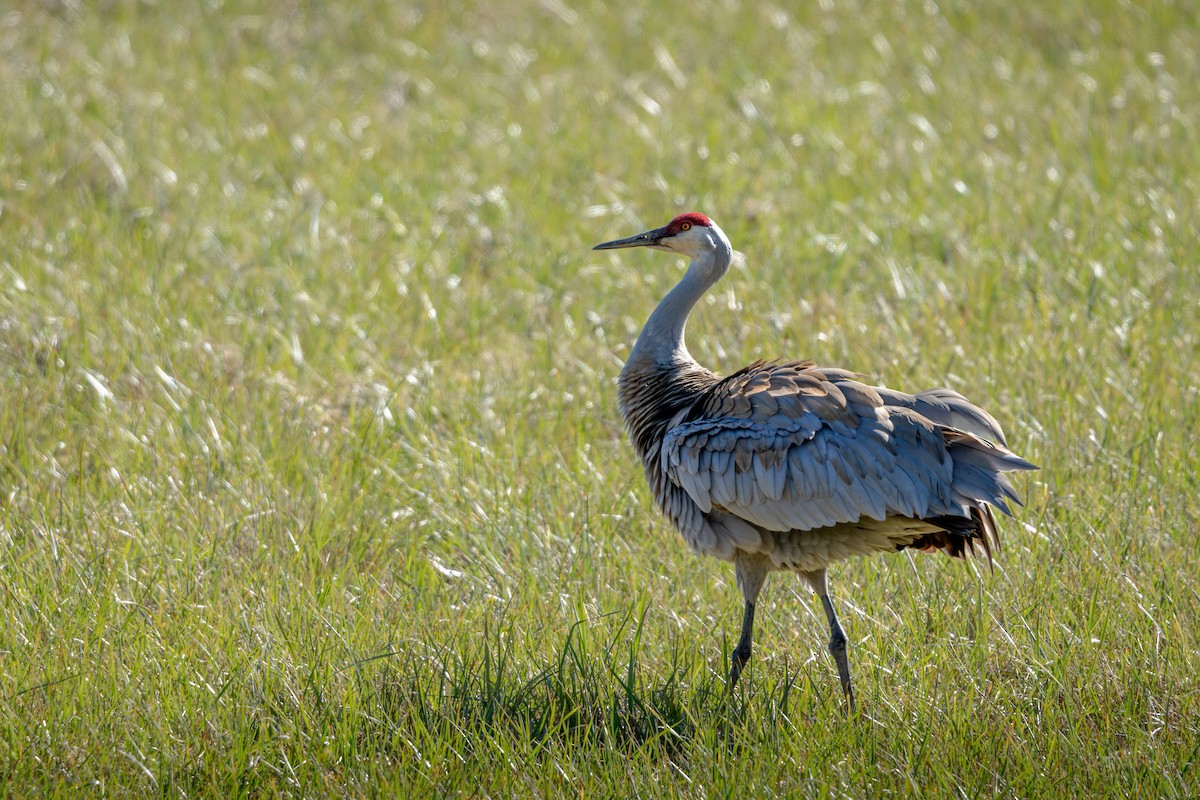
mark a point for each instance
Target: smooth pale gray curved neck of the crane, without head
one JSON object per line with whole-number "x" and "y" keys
{"x": 662, "y": 340}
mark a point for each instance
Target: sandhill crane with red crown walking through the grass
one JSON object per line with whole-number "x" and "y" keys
{"x": 789, "y": 466}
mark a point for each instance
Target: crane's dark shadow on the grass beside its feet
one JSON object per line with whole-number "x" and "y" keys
{"x": 595, "y": 693}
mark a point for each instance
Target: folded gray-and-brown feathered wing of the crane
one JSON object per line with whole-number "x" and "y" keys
{"x": 790, "y": 448}
